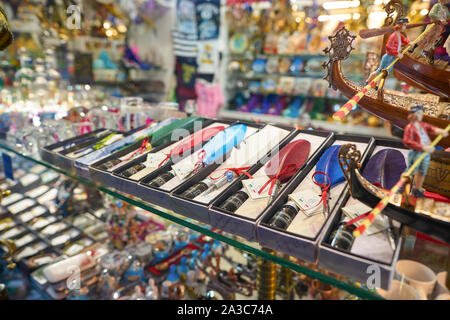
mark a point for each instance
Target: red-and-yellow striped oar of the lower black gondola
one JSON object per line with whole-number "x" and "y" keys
{"x": 385, "y": 201}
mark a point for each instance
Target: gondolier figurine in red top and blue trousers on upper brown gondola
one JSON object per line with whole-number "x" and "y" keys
{"x": 393, "y": 49}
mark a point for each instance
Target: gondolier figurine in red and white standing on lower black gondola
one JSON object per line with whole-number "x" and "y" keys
{"x": 416, "y": 138}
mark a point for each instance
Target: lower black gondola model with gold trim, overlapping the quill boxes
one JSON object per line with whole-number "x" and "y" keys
{"x": 427, "y": 215}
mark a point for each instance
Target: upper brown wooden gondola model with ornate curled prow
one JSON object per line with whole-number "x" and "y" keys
{"x": 393, "y": 106}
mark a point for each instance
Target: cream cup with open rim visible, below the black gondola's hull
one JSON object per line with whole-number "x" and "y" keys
{"x": 417, "y": 275}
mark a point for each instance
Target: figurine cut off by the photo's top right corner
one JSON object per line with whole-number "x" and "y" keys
{"x": 439, "y": 15}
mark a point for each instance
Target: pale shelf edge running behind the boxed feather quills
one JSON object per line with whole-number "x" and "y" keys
{"x": 315, "y": 124}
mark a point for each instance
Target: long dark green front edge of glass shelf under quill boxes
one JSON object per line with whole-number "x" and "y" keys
{"x": 239, "y": 243}
